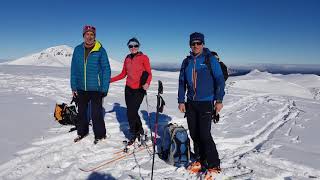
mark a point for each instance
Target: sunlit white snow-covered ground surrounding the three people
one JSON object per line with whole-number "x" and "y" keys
{"x": 268, "y": 129}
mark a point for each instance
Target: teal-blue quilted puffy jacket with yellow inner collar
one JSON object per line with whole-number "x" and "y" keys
{"x": 92, "y": 74}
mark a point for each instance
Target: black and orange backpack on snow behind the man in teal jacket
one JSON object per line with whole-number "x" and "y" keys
{"x": 66, "y": 114}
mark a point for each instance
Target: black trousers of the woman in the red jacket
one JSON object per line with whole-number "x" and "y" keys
{"x": 134, "y": 98}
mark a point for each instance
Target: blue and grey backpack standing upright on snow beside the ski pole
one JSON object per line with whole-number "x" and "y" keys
{"x": 175, "y": 145}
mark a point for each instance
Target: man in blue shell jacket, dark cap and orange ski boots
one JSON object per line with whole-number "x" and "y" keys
{"x": 204, "y": 94}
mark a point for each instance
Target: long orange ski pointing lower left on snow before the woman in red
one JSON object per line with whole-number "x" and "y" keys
{"x": 117, "y": 158}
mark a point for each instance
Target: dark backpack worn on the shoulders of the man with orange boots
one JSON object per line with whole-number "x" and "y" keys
{"x": 223, "y": 66}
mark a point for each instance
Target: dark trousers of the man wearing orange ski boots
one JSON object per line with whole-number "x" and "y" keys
{"x": 199, "y": 124}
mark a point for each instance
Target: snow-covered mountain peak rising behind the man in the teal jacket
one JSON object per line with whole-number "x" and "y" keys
{"x": 57, "y": 56}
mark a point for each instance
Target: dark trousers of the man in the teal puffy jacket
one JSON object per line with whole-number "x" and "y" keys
{"x": 99, "y": 128}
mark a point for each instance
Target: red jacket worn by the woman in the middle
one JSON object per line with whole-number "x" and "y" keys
{"x": 133, "y": 68}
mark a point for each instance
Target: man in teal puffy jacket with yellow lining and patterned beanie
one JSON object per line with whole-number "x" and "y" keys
{"x": 90, "y": 77}
